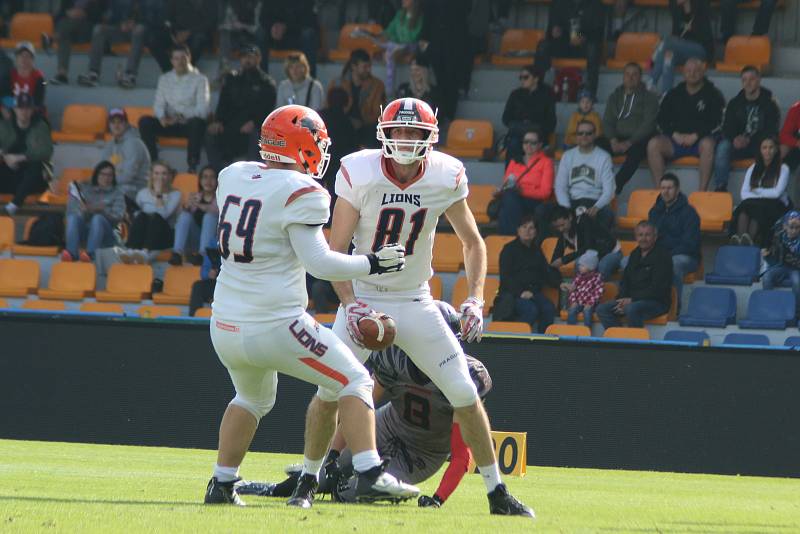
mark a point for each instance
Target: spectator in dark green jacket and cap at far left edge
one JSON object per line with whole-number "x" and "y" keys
{"x": 25, "y": 151}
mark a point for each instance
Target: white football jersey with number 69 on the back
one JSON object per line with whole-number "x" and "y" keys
{"x": 261, "y": 278}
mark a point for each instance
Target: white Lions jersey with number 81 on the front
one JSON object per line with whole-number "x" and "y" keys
{"x": 393, "y": 212}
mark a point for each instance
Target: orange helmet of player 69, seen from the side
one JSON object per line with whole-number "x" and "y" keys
{"x": 296, "y": 134}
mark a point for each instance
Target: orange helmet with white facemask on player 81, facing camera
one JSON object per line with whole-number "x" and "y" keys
{"x": 407, "y": 113}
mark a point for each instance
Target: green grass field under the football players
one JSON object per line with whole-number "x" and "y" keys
{"x": 65, "y": 487}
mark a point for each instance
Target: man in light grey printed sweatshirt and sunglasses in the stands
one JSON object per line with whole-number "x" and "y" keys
{"x": 585, "y": 177}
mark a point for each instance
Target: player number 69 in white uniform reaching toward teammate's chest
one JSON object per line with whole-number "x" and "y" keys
{"x": 270, "y": 233}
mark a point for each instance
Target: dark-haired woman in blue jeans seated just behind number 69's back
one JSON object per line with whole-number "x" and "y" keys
{"x": 197, "y": 223}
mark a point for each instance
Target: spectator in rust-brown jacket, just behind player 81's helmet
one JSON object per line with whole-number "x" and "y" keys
{"x": 366, "y": 95}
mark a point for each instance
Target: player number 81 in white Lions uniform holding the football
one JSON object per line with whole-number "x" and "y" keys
{"x": 396, "y": 195}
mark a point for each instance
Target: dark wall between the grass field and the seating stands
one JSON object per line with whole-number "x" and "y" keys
{"x": 601, "y": 405}
